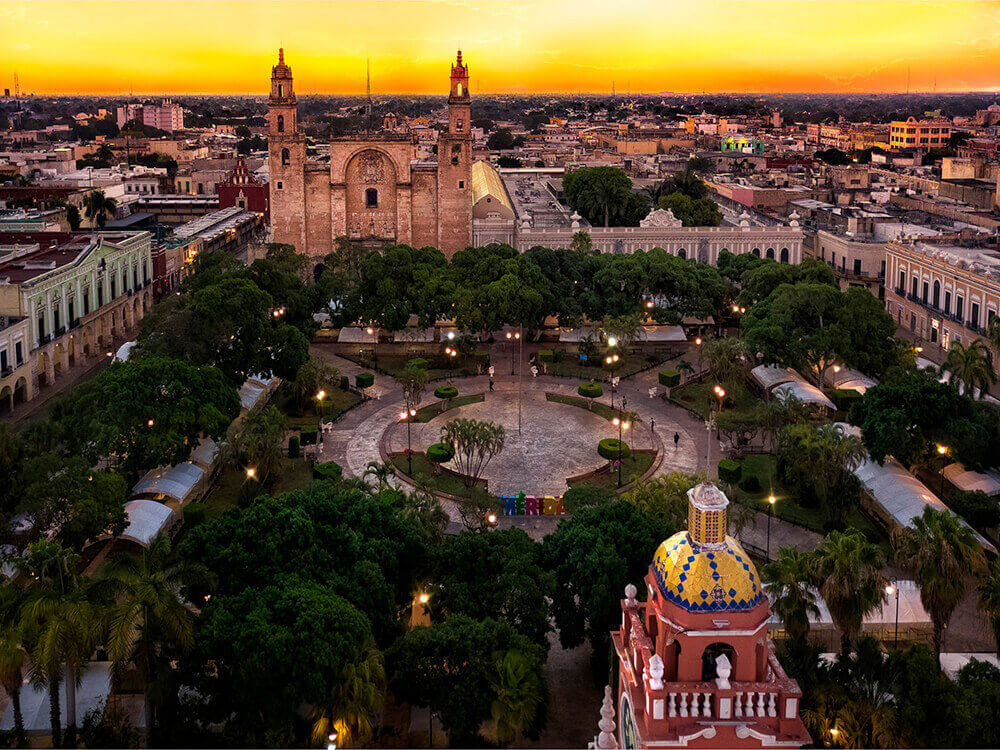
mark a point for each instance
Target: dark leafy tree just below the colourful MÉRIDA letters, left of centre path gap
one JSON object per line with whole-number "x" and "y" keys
{"x": 498, "y": 575}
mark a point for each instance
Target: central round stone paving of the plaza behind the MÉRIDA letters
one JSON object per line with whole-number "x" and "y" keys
{"x": 555, "y": 441}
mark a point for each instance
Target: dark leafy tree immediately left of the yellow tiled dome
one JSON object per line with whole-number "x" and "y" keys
{"x": 594, "y": 555}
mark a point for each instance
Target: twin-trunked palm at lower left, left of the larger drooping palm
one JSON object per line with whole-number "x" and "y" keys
{"x": 63, "y": 622}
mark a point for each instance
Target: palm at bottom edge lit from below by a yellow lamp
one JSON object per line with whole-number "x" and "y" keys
{"x": 356, "y": 701}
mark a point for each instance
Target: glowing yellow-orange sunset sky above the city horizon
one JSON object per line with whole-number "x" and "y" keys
{"x": 556, "y": 46}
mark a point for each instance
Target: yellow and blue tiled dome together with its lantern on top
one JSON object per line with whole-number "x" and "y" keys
{"x": 704, "y": 569}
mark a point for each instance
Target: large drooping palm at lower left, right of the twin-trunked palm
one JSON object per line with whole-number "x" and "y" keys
{"x": 146, "y": 611}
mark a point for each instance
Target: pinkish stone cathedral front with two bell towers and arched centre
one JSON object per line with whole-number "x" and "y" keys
{"x": 373, "y": 188}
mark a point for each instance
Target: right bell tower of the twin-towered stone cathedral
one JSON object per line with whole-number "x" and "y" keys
{"x": 455, "y": 166}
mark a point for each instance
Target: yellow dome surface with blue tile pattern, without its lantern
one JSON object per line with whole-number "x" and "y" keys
{"x": 699, "y": 579}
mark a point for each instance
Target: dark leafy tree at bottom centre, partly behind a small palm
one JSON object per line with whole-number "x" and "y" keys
{"x": 452, "y": 667}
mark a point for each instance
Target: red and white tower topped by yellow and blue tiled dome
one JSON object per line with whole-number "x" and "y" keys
{"x": 697, "y": 668}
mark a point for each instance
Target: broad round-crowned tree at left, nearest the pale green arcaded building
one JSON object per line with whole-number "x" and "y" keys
{"x": 148, "y": 412}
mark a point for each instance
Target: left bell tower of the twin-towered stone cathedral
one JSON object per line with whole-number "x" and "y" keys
{"x": 286, "y": 148}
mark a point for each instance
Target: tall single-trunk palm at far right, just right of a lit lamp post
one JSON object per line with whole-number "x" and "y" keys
{"x": 940, "y": 550}
